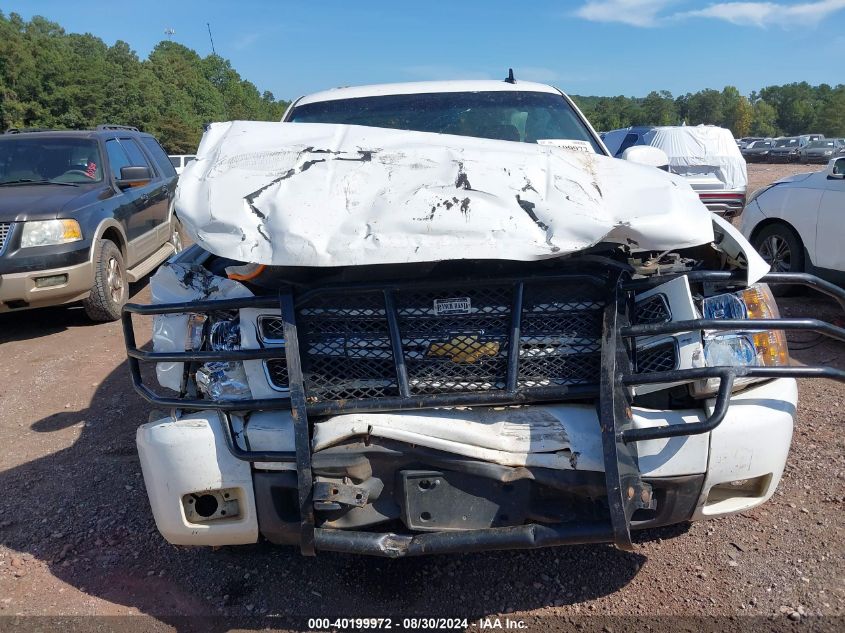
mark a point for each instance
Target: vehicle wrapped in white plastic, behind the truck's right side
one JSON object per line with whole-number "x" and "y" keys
{"x": 705, "y": 155}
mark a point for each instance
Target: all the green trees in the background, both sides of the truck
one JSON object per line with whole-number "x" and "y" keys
{"x": 50, "y": 78}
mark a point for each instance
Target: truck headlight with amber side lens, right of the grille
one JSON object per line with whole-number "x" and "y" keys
{"x": 754, "y": 348}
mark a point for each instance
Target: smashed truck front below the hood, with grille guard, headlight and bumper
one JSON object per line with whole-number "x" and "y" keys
{"x": 443, "y": 415}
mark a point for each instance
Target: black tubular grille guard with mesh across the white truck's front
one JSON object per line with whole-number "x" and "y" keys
{"x": 510, "y": 378}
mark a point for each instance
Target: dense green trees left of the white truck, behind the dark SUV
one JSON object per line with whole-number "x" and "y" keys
{"x": 53, "y": 79}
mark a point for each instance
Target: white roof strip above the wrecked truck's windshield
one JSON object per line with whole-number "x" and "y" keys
{"x": 422, "y": 87}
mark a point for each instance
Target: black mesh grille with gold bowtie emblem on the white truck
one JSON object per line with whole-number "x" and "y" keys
{"x": 452, "y": 341}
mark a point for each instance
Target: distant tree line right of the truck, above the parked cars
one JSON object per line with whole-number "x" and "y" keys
{"x": 791, "y": 109}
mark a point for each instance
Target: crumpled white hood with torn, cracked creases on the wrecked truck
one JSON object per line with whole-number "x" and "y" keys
{"x": 302, "y": 194}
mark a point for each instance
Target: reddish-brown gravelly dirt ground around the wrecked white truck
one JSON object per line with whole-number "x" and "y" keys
{"x": 77, "y": 537}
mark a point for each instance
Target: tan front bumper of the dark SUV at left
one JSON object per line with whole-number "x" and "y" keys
{"x": 23, "y": 290}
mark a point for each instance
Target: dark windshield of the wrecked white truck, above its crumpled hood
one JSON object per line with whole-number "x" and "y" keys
{"x": 526, "y": 117}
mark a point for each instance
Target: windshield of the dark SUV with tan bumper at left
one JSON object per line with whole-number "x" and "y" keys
{"x": 50, "y": 159}
